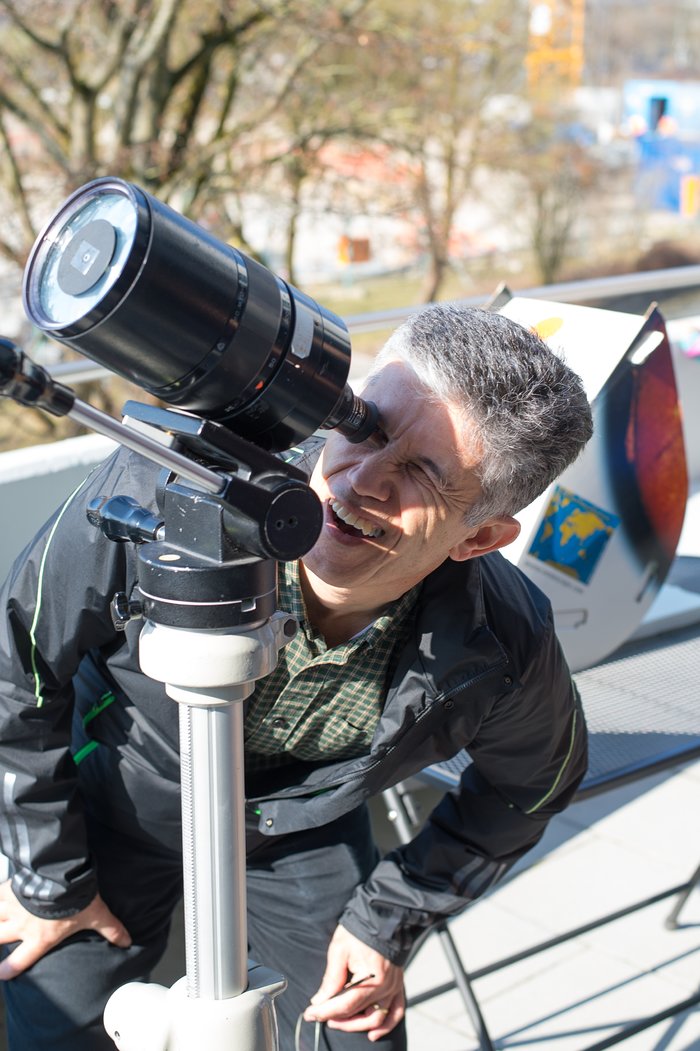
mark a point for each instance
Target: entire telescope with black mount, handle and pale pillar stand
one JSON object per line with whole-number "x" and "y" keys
{"x": 251, "y": 367}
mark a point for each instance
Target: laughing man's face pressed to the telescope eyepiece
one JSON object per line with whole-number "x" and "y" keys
{"x": 394, "y": 514}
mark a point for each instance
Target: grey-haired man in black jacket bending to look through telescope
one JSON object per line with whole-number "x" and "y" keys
{"x": 417, "y": 641}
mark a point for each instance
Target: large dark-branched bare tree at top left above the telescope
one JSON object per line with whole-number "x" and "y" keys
{"x": 158, "y": 92}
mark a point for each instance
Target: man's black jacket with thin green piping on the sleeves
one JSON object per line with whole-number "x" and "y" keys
{"x": 483, "y": 671}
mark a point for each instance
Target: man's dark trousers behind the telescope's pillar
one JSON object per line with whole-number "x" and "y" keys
{"x": 297, "y": 888}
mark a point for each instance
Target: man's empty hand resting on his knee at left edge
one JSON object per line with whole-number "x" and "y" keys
{"x": 39, "y": 936}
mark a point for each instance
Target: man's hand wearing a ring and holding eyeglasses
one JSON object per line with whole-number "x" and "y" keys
{"x": 374, "y": 1006}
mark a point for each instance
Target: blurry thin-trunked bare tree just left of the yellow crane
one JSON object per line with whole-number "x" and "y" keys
{"x": 446, "y": 63}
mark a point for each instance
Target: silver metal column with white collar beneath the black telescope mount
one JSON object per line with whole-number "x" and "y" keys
{"x": 211, "y": 674}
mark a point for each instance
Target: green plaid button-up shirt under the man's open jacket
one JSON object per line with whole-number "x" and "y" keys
{"x": 323, "y": 704}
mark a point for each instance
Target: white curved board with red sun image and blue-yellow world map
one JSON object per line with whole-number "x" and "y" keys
{"x": 601, "y": 541}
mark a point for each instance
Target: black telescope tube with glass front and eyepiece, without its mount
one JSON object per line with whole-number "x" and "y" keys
{"x": 129, "y": 282}
